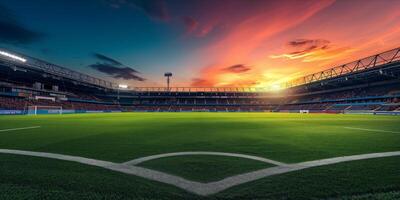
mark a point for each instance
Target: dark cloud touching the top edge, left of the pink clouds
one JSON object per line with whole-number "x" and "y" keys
{"x": 156, "y": 9}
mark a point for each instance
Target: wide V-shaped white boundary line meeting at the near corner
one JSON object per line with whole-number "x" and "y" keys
{"x": 196, "y": 187}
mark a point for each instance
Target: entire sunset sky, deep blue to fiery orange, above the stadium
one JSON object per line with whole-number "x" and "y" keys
{"x": 220, "y": 43}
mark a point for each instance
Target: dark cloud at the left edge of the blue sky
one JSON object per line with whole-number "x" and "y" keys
{"x": 12, "y": 32}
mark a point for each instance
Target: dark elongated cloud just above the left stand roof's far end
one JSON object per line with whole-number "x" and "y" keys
{"x": 115, "y": 68}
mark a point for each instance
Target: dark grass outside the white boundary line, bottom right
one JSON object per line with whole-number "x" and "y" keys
{"x": 371, "y": 179}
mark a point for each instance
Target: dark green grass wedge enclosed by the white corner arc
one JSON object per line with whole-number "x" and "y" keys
{"x": 204, "y": 168}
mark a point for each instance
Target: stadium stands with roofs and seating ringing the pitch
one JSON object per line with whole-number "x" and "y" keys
{"x": 370, "y": 85}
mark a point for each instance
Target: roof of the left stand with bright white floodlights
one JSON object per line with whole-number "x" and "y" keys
{"x": 16, "y": 61}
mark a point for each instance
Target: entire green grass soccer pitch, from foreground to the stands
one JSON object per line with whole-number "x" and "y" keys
{"x": 288, "y": 139}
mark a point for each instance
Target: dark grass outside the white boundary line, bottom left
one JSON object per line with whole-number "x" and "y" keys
{"x": 24, "y": 177}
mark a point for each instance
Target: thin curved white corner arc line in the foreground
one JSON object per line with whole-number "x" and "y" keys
{"x": 148, "y": 158}
